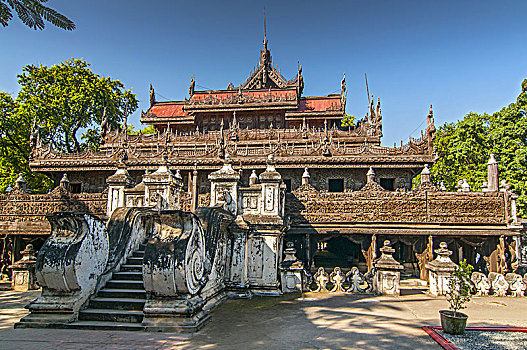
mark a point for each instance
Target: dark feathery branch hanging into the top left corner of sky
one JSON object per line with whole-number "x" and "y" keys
{"x": 33, "y": 14}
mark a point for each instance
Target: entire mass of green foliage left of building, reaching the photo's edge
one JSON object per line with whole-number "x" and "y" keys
{"x": 60, "y": 102}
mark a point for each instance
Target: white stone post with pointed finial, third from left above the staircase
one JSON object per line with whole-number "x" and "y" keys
{"x": 224, "y": 187}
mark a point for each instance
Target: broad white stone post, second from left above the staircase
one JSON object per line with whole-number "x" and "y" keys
{"x": 162, "y": 188}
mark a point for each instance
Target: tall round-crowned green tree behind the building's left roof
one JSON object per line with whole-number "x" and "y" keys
{"x": 69, "y": 97}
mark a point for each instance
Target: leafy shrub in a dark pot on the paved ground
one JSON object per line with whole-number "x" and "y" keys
{"x": 458, "y": 294}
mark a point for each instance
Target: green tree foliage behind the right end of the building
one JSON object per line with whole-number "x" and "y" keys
{"x": 463, "y": 148}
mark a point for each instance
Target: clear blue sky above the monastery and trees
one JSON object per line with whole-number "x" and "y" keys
{"x": 460, "y": 55}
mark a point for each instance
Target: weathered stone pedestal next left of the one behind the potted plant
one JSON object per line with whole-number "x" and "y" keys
{"x": 387, "y": 272}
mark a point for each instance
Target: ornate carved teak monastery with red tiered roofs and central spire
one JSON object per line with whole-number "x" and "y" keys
{"x": 340, "y": 192}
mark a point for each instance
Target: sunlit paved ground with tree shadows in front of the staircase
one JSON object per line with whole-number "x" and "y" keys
{"x": 311, "y": 322}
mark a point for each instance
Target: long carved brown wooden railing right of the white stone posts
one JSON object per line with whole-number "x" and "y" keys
{"x": 306, "y": 205}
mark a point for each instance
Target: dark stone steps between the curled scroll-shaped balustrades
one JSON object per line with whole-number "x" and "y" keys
{"x": 119, "y": 304}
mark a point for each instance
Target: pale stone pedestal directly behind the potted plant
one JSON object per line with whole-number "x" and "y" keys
{"x": 440, "y": 270}
